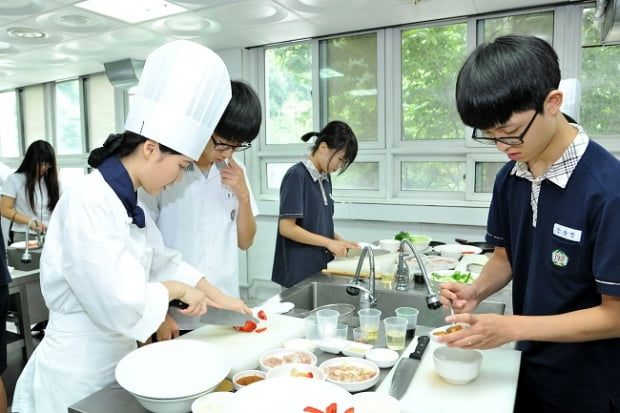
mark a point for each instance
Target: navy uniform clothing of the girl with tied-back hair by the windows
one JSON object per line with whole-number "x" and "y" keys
{"x": 306, "y": 195}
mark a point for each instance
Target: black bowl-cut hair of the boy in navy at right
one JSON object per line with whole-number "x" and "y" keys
{"x": 511, "y": 74}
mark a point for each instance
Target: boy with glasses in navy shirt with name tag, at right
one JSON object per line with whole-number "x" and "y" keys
{"x": 554, "y": 220}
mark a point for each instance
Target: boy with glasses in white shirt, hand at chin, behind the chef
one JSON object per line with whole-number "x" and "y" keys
{"x": 215, "y": 205}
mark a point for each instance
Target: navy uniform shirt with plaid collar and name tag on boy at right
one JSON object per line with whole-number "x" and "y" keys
{"x": 561, "y": 234}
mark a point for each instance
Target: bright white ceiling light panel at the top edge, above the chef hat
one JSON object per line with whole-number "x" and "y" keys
{"x": 134, "y": 11}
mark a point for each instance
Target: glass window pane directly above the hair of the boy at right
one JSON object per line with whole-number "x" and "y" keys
{"x": 534, "y": 24}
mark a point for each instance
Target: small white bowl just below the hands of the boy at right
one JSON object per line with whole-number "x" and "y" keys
{"x": 456, "y": 365}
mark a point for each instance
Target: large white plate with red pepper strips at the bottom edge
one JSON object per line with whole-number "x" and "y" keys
{"x": 289, "y": 395}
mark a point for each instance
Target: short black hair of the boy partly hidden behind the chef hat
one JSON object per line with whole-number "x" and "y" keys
{"x": 241, "y": 120}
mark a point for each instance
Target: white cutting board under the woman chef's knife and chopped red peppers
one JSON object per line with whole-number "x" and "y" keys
{"x": 245, "y": 348}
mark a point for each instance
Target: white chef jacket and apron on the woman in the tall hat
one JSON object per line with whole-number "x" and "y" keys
{"x": 100, "y": 280}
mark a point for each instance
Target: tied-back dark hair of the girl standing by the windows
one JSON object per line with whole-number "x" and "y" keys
{"x": 337, "y": 135}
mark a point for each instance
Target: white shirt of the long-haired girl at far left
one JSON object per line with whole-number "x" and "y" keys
{"x": 15, "y": 187}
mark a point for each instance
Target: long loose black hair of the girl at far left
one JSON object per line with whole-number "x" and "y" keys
{"x": 39, "y": 152}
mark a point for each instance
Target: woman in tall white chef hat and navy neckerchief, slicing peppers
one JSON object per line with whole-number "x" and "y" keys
{"x": 106, "y": 276}
